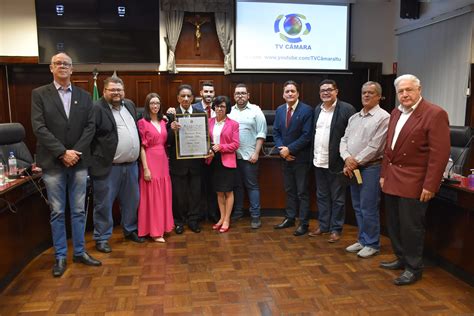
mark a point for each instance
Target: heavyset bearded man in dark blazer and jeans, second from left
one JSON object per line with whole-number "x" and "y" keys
{"x": 115, "y": 149}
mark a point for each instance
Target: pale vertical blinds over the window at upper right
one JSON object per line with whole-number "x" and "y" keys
{"x": 440, "y": 55}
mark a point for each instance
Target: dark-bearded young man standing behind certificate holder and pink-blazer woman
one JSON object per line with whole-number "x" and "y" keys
{"x": 208, "y": 206}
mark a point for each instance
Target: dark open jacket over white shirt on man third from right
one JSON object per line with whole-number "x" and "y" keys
{"x": 340, "y": 118}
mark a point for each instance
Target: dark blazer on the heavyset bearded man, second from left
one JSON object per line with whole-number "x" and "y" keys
{"x": 105, "y": 141}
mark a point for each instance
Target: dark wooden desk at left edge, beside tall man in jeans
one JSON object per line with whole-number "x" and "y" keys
{"x": 24, "y": 226}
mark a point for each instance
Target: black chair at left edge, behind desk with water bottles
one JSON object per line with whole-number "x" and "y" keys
{"x": 11, "y": 140}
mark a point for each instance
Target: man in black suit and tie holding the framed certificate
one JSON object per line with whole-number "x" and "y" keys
{"x": 185, "y": 173}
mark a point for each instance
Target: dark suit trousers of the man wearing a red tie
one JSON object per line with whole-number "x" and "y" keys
{"x": 295, "y": 180}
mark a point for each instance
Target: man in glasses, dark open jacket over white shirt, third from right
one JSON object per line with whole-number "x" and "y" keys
{"x": 330, "y": 122}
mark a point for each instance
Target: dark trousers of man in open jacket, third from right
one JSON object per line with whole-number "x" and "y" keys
{"x": 331, "y": 198}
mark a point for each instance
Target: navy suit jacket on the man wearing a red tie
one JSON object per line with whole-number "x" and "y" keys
{"x": 297, "y": 136}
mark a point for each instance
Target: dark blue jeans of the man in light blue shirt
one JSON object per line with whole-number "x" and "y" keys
{"x": 247, "y": 175}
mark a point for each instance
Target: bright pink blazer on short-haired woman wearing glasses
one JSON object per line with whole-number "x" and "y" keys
{"x": 229, "y": 141}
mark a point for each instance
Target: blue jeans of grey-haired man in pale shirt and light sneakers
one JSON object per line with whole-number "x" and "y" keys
{"x": 366, "y": 202}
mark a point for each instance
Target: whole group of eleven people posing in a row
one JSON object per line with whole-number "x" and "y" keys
{"x": 135, "y": 162}
